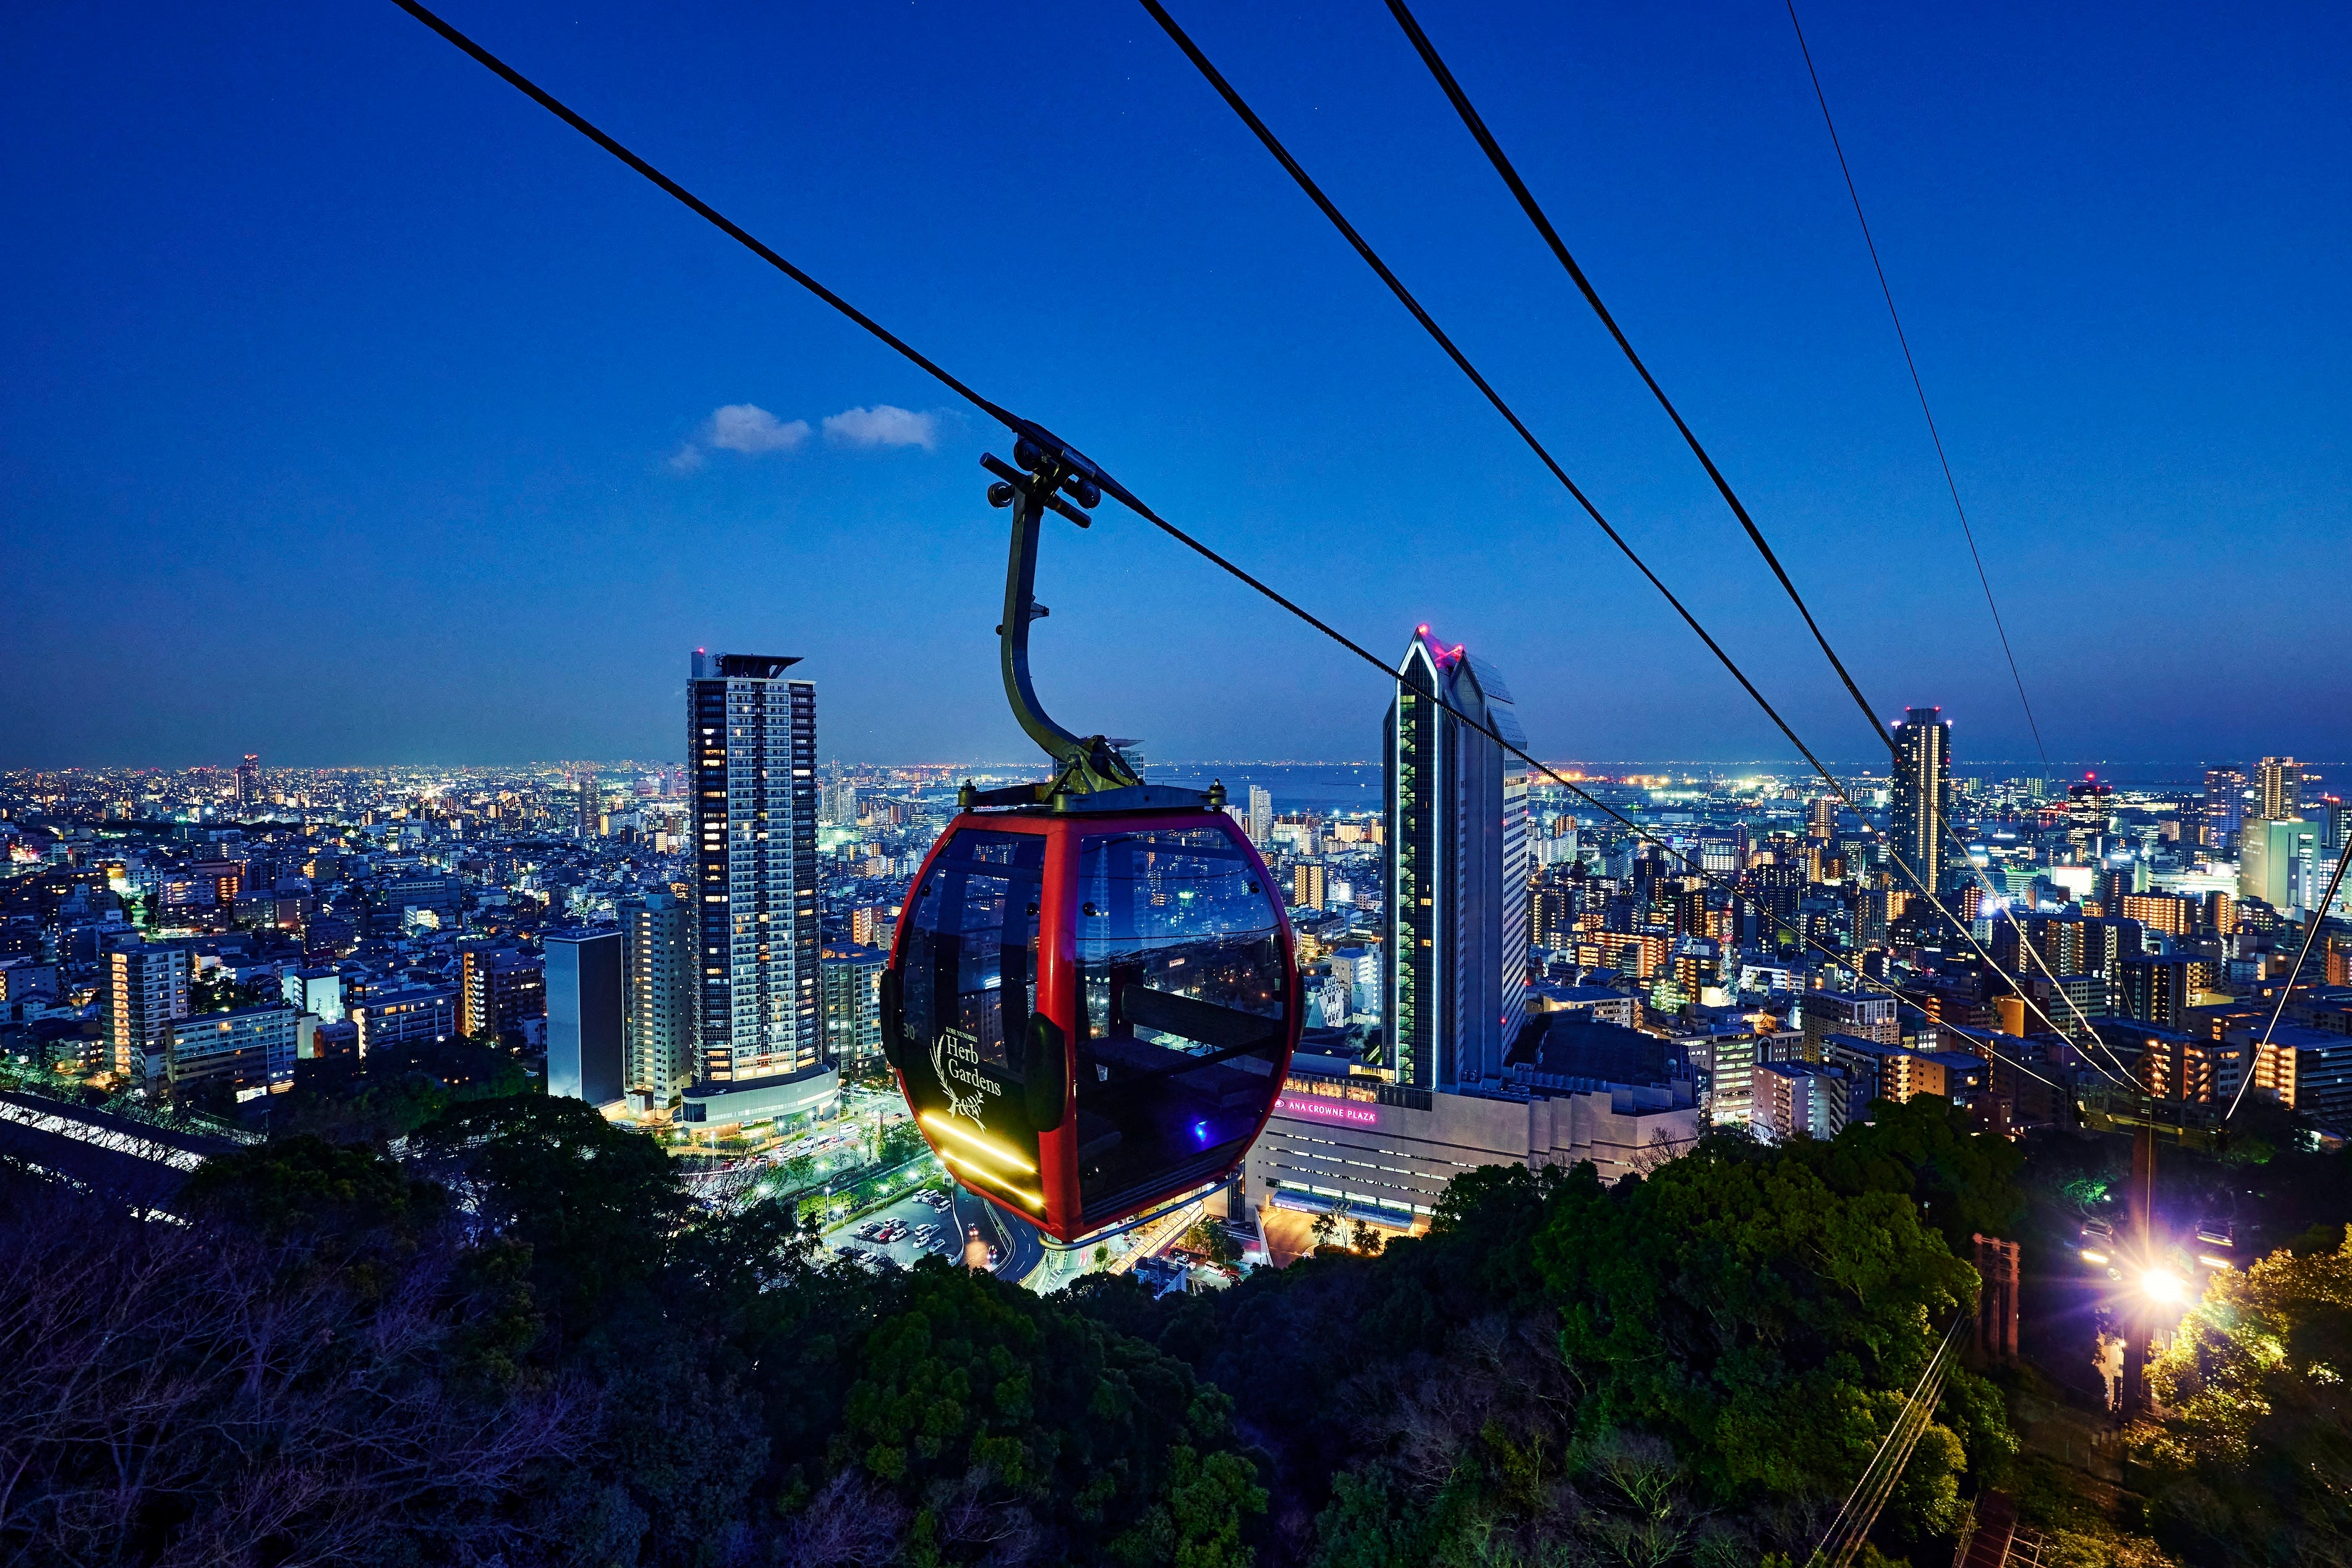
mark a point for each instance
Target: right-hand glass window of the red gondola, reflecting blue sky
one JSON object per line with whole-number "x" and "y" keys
{"x": 1184, "y": 1003}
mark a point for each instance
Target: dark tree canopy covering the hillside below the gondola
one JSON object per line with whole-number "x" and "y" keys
{"x": 521, "y": 1343}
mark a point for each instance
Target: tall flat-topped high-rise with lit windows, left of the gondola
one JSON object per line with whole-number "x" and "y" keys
{"x": 751, "y": 742}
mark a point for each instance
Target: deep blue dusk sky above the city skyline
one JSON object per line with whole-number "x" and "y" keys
{"x": 363, "y": 413}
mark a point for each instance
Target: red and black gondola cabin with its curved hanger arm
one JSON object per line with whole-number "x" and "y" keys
{"x": 1093, "y": 996}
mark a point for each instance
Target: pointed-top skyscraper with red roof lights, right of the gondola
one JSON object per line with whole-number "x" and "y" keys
{"x": 1457, "y": 871}
